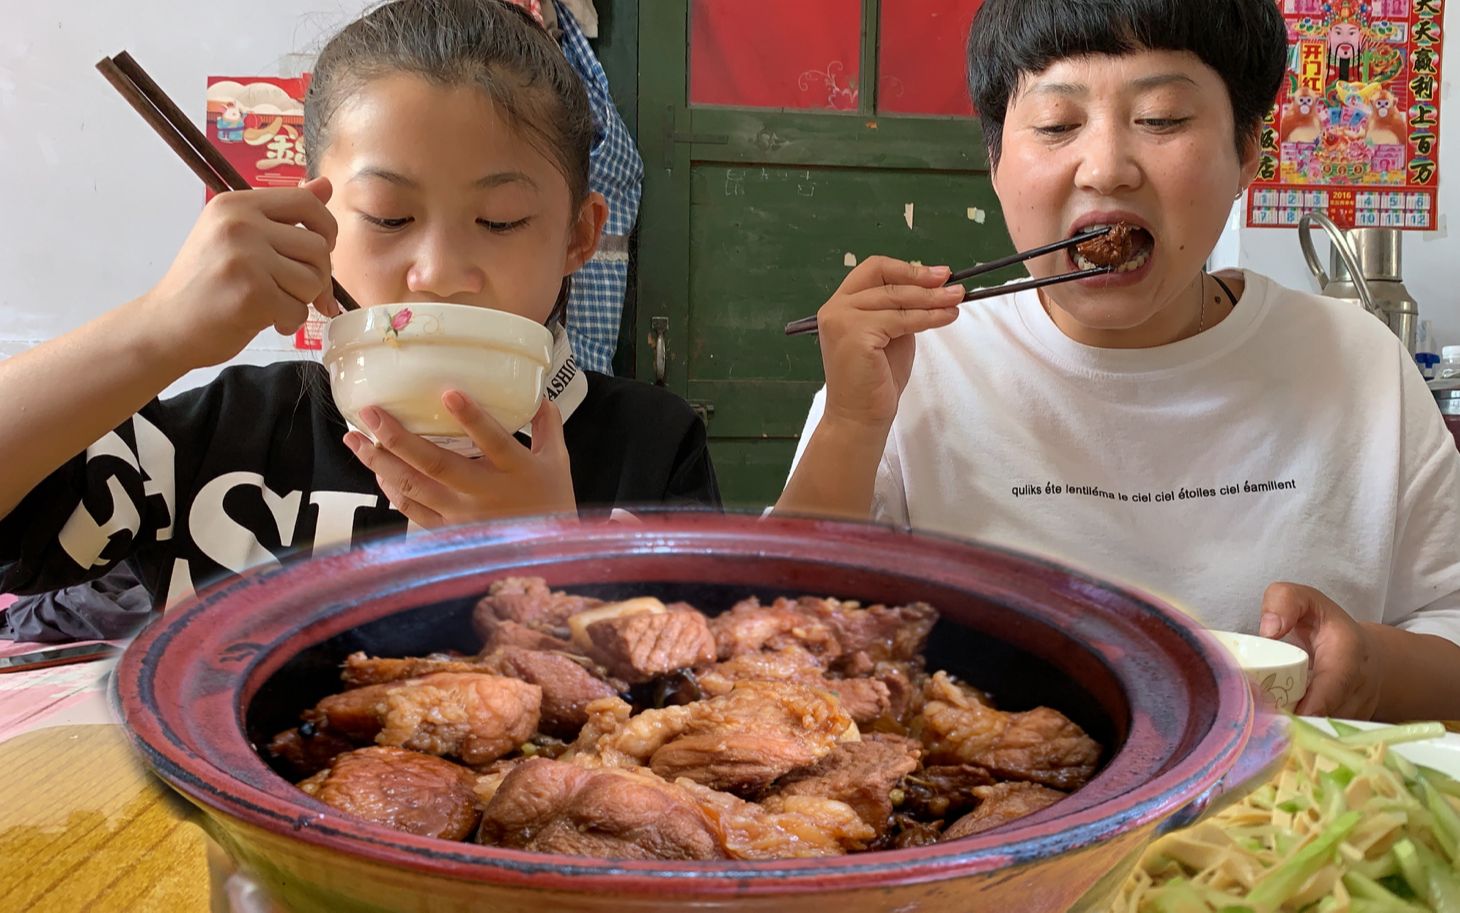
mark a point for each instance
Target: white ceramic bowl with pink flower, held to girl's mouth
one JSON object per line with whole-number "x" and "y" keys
{"x": 404, "y": 357}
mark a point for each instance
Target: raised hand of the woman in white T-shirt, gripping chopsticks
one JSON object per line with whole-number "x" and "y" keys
{"x": 867, "y": 335}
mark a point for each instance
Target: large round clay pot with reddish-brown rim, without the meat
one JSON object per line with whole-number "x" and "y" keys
{"x": 212, "y": 680}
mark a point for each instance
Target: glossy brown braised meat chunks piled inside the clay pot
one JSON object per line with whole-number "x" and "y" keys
{"x": 808, "y": 727}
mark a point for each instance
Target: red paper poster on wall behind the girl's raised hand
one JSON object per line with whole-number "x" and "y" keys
{"x": 258, "y": 123}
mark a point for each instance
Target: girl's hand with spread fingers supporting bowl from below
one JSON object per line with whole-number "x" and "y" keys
{"x": 436, "y": 487}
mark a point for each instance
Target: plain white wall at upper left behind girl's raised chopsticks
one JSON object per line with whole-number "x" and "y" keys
{"x": 93, "y": 204}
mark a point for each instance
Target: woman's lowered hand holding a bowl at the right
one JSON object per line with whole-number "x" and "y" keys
{"x": 1347, "y": 667}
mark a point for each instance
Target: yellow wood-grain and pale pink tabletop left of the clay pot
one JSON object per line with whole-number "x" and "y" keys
{"x": 82, "y": 823}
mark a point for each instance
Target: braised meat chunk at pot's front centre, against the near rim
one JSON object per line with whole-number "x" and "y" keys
{"x": 556, "y": 807}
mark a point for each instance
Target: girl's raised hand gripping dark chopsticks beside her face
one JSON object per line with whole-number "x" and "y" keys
{"x": 255, "y": 259}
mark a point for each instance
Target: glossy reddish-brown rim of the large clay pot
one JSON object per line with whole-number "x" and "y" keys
{"x": 185, "y": 684}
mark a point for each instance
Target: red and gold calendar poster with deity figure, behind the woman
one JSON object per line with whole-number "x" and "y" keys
{"x": 1356, "y": 132}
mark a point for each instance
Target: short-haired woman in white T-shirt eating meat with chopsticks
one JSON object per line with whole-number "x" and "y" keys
{"x": 1267, "y": 459}
